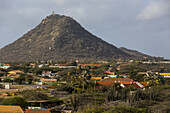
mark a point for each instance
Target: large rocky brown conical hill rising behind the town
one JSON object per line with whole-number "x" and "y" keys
{"x": 57, "y": 38}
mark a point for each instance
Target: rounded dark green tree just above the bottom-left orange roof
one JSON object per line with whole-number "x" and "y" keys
{"x": 15, "y": 101}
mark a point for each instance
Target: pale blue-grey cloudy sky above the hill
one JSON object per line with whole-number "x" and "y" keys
{"x": 142, "y": 25}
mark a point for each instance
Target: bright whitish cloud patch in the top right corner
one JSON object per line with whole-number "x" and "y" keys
{"x": 156, "y": 9}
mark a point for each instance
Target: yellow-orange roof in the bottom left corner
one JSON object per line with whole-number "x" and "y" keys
{"x": 10, "y": 109}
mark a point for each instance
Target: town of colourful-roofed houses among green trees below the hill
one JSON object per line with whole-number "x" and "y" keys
{"x": 84, "y": 86}
